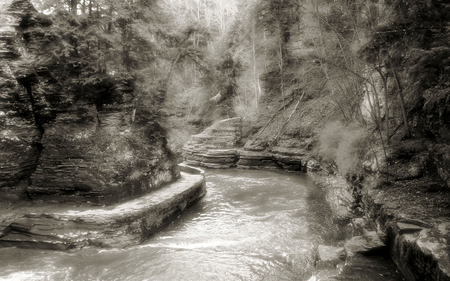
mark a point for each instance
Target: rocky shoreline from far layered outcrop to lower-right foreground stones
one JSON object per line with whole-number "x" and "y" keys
{"x": 409, "y": 229}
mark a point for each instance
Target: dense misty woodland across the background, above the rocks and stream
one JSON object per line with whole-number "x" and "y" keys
{"x": 380, "y": 67}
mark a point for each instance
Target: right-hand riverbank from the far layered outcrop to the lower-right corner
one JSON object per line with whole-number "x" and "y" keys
{"x": 409, "y": 214}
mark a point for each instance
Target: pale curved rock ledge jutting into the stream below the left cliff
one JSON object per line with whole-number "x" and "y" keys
{"x": 118, "y": 225}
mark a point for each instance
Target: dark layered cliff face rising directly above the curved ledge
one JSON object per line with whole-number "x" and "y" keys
{"x": 59, "y": 144}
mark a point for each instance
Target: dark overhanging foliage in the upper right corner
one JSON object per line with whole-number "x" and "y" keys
{"x": 413, "y": 47}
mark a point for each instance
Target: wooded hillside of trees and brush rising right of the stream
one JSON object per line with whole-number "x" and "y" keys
{"x": 374, "y": 71}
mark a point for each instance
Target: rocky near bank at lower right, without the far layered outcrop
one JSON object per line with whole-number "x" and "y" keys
{"x": 412, "y": 223}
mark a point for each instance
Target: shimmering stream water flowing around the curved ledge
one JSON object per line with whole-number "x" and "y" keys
{"x": 252, "y": 225}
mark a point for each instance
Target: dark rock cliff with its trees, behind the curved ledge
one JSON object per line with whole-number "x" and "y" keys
{"x": 91, "y": 84}
